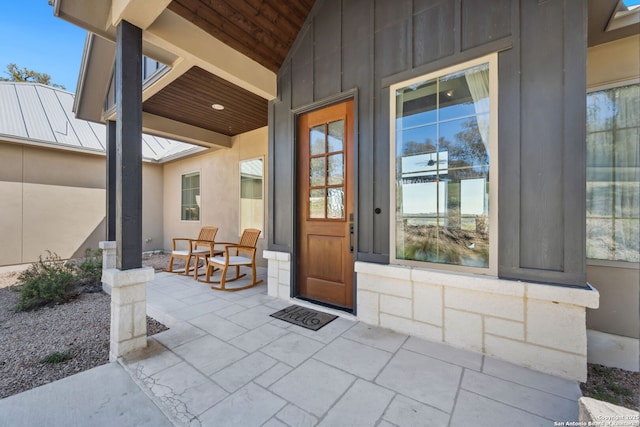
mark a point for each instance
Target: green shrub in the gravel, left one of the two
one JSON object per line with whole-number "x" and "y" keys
{"x": 50, "y": 280}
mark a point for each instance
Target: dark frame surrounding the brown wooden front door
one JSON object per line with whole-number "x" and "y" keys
{"x": 296, "y": 113}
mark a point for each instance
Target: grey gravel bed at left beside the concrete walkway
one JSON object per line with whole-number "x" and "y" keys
{"x": 79, "y": 329}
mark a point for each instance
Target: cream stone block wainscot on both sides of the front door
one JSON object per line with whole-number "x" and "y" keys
{"x": 538, "y": 326}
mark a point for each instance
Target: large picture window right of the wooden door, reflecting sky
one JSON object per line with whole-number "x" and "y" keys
{"x": 443, "y": 173}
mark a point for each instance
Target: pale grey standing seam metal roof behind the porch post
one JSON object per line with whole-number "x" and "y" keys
{"x": 39, "y": 114}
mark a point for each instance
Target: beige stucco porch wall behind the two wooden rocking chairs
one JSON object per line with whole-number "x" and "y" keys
{"x": 219, "y": 190}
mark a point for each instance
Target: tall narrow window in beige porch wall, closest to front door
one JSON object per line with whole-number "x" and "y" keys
{"x": 251, "y": 194}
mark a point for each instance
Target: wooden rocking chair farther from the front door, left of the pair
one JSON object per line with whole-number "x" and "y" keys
{"x": 203, "y": 246}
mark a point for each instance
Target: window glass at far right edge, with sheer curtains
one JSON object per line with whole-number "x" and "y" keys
{"x": 613, "y": 174}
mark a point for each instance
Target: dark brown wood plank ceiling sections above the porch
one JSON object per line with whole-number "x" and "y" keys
{"x": 263, "y": 30}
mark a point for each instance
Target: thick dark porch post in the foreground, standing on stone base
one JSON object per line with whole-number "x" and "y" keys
{"x": 128, "y": 80}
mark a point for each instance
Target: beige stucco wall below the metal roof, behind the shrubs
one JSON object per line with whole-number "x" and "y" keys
{"x": 54, "y": 199}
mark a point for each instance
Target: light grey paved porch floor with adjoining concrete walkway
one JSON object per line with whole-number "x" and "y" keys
{"x": 226, "y": 362}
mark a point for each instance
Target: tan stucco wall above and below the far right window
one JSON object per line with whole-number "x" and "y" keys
{"x": 619, "y": 283}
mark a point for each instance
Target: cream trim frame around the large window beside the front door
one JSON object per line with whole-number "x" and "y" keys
{"x": 492, "y": 270}
